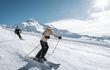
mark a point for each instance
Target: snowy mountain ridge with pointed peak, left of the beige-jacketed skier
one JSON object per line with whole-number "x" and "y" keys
{"x": 30, "y": 25}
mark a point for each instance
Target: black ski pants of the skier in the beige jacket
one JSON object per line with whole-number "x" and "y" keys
{"x": 43, "y": 51}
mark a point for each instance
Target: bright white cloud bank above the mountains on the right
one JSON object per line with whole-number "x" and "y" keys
{"x": 99, "y": 25}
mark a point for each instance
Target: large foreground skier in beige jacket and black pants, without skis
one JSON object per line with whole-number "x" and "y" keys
{"x": 45, "y": 36}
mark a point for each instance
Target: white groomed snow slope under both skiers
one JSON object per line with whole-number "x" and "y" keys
{"x": 69, "y": 54}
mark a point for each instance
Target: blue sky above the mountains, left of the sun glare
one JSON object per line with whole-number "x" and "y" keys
{"x": 17, "y": 11}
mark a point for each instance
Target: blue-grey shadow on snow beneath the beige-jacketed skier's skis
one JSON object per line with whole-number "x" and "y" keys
{"x": 34, "y": 65}
